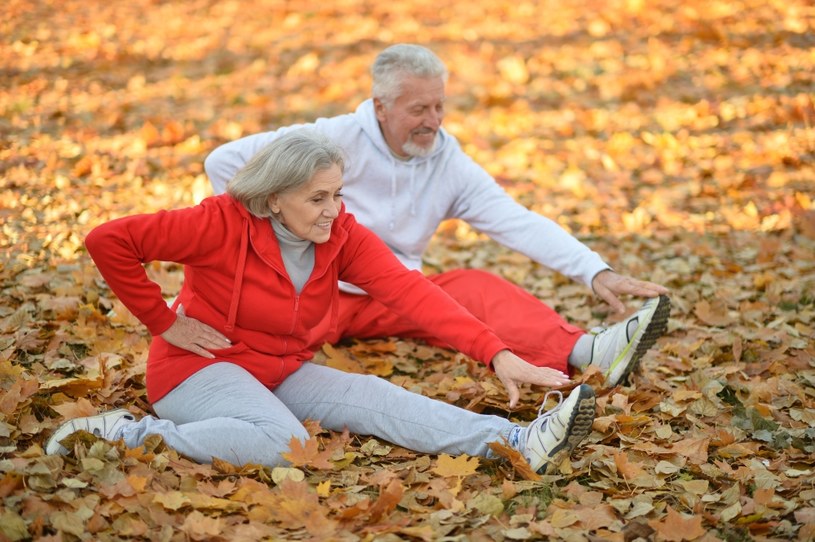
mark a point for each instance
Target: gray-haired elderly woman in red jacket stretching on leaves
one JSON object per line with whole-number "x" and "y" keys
{"x": 230, "y": 377}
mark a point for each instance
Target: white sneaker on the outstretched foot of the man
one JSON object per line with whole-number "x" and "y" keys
{"x": 617, "y": 352}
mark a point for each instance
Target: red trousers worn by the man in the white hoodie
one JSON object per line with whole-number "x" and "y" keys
{"x": 532, "y": 329}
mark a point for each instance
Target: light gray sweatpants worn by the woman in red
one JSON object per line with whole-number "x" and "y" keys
{"x": 223, "y": 411}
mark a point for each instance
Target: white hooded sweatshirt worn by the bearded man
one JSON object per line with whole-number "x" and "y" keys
{"x": 404, "y": 201}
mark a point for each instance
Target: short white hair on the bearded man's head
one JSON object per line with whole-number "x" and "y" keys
{"x": 399, "y": 61}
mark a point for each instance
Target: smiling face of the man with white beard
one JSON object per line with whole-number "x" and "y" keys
{"x": 411, "y": 123}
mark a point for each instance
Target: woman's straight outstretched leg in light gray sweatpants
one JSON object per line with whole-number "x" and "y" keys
{"x": 368, "y": 405}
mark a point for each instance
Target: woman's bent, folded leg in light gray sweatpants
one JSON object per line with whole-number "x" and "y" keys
{"x": 221, "y": 411}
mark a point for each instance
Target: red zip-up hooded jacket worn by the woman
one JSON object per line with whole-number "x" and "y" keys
{"x": 235, "y": 281}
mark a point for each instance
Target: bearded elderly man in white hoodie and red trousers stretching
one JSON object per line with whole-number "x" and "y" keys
{"x": 405, "y": 174}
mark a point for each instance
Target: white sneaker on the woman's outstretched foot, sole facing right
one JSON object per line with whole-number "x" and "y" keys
{"x": 554, "y": 434}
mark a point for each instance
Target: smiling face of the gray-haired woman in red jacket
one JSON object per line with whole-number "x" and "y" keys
{"x": 309, "y": 211}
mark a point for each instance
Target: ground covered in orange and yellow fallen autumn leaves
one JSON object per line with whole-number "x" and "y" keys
{"x": 674, "y": 137}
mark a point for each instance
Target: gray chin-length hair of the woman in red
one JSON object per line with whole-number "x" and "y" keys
{"x": 285, "y": 164}
